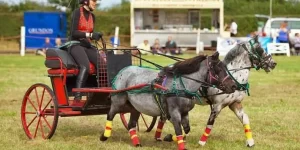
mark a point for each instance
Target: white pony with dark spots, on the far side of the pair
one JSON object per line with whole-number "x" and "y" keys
{"x": 239, "y": 60}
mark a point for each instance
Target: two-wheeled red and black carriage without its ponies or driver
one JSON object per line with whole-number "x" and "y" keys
{"x": 42, "y": 105}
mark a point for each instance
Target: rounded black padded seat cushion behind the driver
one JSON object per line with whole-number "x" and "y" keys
{"x": 67, "y": 60}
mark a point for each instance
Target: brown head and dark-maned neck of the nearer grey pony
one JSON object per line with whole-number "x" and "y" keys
{"x": 215, "y": 71}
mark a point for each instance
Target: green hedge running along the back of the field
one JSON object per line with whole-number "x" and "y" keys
{"x": 242, "y": 11}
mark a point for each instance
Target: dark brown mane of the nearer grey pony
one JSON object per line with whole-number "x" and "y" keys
{"x": 188, "y": 66}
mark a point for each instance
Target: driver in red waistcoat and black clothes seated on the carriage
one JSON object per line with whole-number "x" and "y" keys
{"x": 82, "y": 30}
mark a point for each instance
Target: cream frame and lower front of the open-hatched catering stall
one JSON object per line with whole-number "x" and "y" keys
{"x": 183, "y": 38}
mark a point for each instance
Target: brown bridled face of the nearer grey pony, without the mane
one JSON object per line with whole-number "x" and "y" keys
{"x": 217, "y": 74}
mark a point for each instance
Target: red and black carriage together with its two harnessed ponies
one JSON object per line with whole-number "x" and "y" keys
{"x": 170, "y": 99}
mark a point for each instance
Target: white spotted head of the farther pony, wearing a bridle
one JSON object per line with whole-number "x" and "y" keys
{"x": 259, "y": 58}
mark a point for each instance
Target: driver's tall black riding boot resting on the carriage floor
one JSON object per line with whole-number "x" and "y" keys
{"x": 80, "y": 82}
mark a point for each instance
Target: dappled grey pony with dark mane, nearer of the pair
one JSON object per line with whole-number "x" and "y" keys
{"x": 182, "y": 82}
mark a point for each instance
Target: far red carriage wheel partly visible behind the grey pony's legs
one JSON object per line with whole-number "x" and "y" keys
{"x": 148, "y": 121}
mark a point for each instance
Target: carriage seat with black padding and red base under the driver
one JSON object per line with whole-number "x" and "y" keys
{"x": 57, "y": 59}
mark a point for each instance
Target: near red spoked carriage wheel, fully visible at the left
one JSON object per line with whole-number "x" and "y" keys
{"x": 39, "y": 112}
